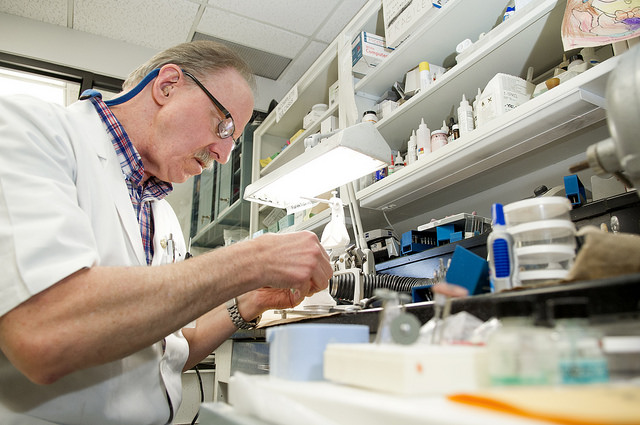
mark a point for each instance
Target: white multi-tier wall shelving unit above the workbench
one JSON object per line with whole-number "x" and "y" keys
{"x": 502, "y": 161}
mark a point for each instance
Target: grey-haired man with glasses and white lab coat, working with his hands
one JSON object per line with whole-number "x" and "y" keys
{"x": 89, "y": 334}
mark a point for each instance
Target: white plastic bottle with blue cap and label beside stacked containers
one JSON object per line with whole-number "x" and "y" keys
{"x": 501, "y": 255}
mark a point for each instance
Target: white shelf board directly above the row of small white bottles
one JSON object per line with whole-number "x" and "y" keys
{"x": 529, "y": 39}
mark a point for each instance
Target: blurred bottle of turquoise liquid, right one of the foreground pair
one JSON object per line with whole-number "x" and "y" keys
{"x": 580, "y": 358}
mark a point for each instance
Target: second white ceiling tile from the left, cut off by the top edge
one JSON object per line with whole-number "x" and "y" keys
{"x": 151, "y": 23}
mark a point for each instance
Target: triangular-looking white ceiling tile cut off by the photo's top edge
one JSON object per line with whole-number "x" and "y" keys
{"x": 299, "y": 16}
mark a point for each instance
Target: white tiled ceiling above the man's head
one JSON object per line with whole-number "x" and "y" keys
{"x": 299, "y": 30}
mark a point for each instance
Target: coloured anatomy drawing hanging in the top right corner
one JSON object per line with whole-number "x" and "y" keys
{"x": 589, "y": 23}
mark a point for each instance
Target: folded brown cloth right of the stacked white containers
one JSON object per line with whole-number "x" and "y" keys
{"x": 605, "y": 255}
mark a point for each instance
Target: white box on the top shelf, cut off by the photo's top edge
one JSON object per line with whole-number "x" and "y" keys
{"x": 403, "y": 17}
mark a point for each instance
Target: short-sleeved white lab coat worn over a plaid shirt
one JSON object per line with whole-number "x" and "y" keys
{"x": 64, "y": 206}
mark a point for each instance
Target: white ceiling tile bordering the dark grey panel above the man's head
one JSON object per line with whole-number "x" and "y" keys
{"x": 247, "y": 32}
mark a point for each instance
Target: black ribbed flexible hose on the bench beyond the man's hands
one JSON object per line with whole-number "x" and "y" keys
{"x": 342, "y": 286}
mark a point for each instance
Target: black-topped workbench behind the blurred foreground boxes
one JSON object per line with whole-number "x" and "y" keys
{"x": 614, "y": 303}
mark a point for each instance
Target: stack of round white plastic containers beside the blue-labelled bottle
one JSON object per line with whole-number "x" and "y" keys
{"x": 544, "y": 238}
